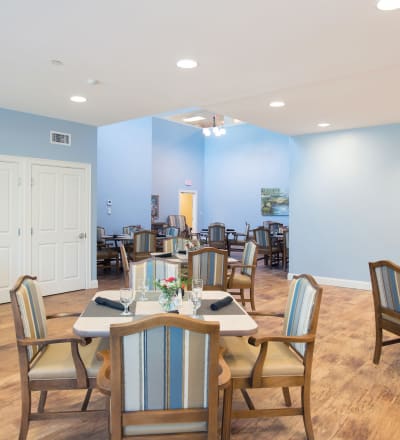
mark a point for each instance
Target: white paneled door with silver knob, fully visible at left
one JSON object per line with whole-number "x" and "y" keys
{"x": 59, "y": 221}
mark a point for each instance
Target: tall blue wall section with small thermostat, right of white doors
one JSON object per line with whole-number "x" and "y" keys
{"x": 125, "y": 174}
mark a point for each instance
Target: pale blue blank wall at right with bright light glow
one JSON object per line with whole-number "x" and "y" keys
{"x": 344, "y": 200}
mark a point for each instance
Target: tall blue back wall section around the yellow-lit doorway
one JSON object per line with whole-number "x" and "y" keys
{"x": 178, "y": 155}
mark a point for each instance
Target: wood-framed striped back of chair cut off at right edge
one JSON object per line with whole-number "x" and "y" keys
{"x": 386, "y": 277}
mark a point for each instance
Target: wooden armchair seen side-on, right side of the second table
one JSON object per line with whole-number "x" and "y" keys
{"x": 243, "y": 275}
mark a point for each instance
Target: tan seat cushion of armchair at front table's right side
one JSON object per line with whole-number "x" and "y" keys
{"x": 241, "y": 356}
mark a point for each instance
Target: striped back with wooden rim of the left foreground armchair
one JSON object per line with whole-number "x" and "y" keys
{"x": 29, "y": 313}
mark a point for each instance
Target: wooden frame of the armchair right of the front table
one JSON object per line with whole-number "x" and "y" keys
{"x": 256, "y": 380}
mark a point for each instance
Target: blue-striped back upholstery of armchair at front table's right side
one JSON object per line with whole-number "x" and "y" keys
{"x": 299, "y": 311}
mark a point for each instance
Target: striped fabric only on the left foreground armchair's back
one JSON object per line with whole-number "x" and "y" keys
{"x": 33, "y": 315}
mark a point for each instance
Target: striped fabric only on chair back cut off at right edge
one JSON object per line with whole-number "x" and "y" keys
{"x": 389, "y": 287}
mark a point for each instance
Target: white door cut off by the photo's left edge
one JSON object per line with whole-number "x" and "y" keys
{"x": 10, "y": 227}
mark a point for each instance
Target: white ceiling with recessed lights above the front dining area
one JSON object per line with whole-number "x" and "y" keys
{"x": 329, "y": 60}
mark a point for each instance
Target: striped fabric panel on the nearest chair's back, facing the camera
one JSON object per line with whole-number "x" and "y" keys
{"x": 165, "y": 368}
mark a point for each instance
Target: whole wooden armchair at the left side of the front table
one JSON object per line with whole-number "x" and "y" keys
{"x": 47, "y": 363}
